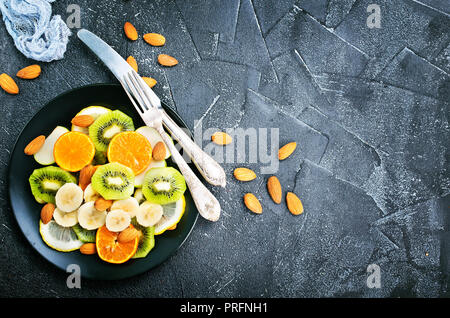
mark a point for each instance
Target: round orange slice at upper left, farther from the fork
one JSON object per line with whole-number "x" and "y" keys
{"x": 73, "y": 151}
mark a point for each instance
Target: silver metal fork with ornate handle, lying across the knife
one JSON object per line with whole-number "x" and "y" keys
{"x": 205, "y": 201}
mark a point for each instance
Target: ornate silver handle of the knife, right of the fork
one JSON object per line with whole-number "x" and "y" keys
{"x": 207, "y": 166}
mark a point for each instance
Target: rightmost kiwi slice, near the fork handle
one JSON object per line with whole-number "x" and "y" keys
{"x": 163, "y": 185}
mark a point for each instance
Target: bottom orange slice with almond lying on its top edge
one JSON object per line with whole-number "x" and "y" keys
{"x": 110, "y": 250}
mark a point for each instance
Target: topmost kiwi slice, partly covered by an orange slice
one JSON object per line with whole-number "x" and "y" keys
{"x": 107, "y": 126}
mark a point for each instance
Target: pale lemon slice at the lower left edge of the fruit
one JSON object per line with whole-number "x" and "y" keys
{"x": 60, "y": 238}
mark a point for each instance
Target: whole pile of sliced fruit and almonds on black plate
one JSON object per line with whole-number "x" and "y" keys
{"x": 105, "y": 186}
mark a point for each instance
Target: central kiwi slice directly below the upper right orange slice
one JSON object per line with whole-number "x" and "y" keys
{"x": 113, "y": 181}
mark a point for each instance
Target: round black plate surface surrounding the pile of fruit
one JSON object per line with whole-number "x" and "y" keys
{"x": 59, "y": 112}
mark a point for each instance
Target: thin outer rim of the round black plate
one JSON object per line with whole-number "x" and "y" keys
{"x": 171, "y": 113}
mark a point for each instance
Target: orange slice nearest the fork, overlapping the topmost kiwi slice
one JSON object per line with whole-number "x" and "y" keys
{"x": 130, "y": 149}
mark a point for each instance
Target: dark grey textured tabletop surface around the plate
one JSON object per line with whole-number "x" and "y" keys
{"x": 367, "y": 107}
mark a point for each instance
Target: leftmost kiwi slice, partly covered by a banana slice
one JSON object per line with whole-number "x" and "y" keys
{"x": 45, "y": 182}
